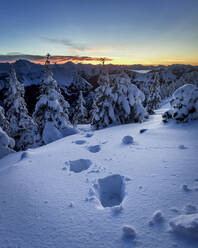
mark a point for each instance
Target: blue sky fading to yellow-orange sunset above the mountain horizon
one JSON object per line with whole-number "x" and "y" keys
{"x": 124, "y": 31}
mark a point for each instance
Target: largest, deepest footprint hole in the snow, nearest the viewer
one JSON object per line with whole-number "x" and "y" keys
{"x": 111, "y": 190}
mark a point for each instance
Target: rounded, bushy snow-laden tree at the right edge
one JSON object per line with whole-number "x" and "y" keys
{"x": 184, "y": 104}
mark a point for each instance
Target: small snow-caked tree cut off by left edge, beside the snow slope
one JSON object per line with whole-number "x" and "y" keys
{"x": 6, "y": 144}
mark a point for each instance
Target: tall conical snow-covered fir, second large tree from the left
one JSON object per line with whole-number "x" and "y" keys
{"x": 51, "y": 111}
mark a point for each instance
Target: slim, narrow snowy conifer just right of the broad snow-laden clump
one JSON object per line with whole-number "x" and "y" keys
{"x": 154, "y": 98}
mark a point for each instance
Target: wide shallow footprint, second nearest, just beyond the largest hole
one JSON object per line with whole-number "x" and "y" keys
{"x": 79, "y": 165}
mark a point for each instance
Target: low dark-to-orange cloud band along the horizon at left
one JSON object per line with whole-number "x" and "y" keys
{"x": 54, "y": 59}
